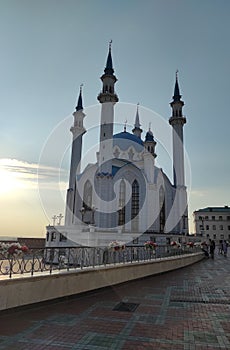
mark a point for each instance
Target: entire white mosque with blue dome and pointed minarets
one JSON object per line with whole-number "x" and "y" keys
{"x": 123, "y": 196}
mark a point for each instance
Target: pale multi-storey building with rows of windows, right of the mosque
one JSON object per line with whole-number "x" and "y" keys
{"x": 213, "y": 222}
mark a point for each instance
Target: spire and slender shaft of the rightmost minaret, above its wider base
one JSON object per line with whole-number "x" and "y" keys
{"x": 177, "y": 121}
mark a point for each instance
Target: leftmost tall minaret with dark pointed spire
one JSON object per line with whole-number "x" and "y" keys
{"x": 78, "y": 131}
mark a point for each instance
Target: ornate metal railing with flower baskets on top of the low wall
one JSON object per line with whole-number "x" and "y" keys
{"x": 55, "y": 259}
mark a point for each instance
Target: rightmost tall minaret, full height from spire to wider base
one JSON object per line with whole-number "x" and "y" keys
{"x": 177, "y": 120}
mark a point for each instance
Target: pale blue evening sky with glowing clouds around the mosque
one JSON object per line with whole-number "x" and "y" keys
{"x": 48, "y": 48}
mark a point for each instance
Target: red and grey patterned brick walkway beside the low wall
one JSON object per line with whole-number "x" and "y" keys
{"x": 186, "y": 309}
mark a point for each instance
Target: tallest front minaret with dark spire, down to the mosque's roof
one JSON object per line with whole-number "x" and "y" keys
{"x": 107, "y": 98}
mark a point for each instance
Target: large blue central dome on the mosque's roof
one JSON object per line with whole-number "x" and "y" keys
{"x": 124, "y": 140}
